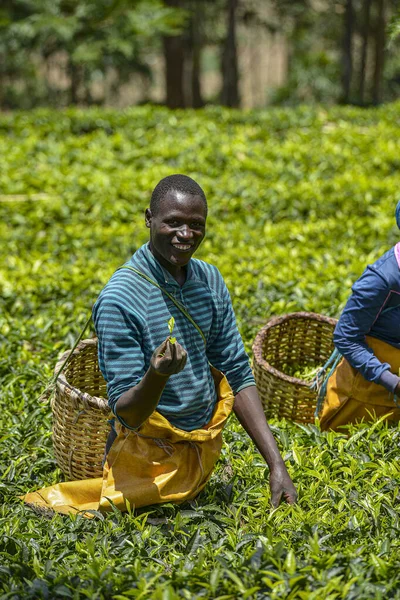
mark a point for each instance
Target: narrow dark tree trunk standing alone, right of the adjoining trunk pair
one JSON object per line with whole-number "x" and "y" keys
{"x": 230, "y": 71}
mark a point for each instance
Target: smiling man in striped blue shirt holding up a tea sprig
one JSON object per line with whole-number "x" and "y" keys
{"x": 171, "y": 398}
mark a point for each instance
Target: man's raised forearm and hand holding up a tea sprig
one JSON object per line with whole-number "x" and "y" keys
{"x": 135, "y": 405}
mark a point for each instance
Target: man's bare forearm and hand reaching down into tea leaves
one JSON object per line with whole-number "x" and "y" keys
{"x": 249, "y": 411}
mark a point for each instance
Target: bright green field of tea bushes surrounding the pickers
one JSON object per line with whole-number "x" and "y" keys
{"x": 300, "y": 200}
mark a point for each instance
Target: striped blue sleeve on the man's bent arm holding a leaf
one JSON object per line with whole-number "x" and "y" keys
{"x": 121, "y": 358}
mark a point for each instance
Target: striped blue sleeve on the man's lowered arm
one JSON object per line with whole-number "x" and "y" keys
{"x": 226, "y": 350}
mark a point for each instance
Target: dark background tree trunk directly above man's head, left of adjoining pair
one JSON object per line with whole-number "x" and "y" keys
{"x": 174, "y": 56}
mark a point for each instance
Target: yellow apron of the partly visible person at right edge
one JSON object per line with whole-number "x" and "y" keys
{"x": 350, "y": 397}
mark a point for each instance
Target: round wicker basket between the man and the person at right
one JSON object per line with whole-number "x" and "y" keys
{"x": 303, "y": 339}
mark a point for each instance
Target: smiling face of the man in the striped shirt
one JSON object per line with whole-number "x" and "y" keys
{"x": 177, "y": 228}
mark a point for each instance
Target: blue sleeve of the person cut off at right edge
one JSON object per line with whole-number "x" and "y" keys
{"x": 369, "y": 295}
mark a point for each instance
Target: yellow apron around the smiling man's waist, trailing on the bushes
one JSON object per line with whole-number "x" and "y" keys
{"x": 158, "y": 463}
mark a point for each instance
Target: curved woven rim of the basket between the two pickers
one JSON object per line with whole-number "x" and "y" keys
{"x": 273, "y": 322}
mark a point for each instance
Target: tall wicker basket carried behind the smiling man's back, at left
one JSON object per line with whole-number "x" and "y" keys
{"x": 80, "y": 414}
